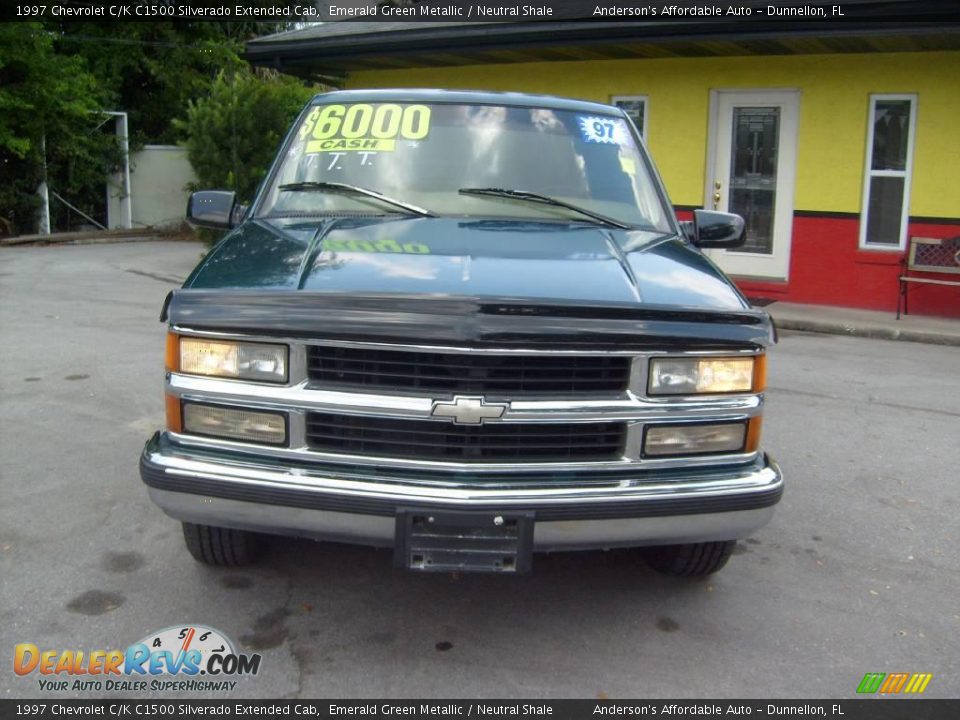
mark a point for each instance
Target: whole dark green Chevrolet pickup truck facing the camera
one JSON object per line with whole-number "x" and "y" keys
{"x": 468, "y": 326}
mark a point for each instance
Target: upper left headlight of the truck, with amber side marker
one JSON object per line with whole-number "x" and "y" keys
{"x": 222, "y": 358}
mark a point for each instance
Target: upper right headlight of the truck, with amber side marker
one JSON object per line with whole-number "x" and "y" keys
{"x": 694, "y": 376}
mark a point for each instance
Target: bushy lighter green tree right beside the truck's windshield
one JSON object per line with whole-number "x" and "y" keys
{"x": 233, "y": 133}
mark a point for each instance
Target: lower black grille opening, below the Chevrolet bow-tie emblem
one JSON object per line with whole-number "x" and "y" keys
{"x": 490, "y": 442}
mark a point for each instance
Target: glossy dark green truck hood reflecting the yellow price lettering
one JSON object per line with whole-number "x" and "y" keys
{"x": 570, "y": 263}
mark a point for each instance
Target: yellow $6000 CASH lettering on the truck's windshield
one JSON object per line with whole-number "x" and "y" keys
{"x": 363, "y": 127}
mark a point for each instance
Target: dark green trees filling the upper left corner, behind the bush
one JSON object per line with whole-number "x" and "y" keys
{"x": 57, "y": 78}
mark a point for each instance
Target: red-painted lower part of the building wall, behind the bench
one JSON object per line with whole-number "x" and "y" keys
{"x": 828, "y": 268}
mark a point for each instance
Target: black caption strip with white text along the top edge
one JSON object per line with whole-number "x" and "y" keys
{"x": 464, "y": 11}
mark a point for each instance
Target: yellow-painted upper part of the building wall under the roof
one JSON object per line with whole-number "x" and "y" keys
{"x": 832, "y": 125}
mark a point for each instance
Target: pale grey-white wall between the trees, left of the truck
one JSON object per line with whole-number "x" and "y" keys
{"x": 158, "y": 176}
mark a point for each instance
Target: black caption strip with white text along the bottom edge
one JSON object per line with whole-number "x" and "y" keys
{"x": 879, "y": 708}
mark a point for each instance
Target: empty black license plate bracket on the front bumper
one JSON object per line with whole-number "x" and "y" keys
{"x": 492, "y": 542}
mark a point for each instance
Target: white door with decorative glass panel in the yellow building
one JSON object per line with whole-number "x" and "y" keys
{"x": 751, "y": 168}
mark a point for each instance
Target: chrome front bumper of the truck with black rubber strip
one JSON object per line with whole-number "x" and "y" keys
{"x": 359, "y": 505}
